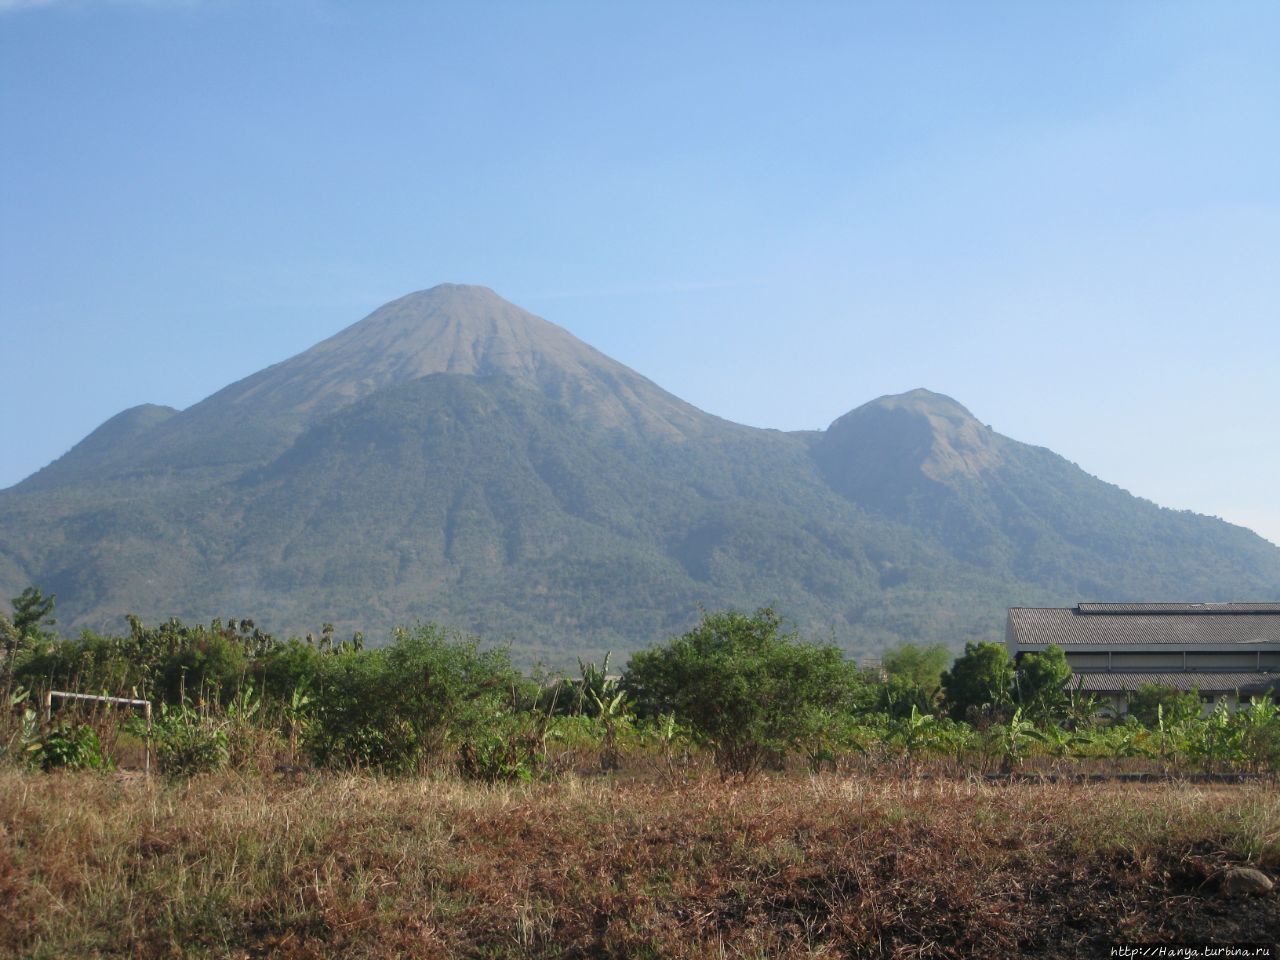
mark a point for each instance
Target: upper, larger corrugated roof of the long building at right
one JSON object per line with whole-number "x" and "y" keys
{"x": 1071, "y": 625}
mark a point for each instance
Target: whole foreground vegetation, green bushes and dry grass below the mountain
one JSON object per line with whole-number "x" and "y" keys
{"x": 734, "y": 793}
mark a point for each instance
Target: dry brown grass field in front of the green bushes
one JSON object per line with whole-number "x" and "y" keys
{"x": 113, "y": 866}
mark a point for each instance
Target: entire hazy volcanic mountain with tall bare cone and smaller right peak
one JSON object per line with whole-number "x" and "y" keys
{"x": 454, "y": 458}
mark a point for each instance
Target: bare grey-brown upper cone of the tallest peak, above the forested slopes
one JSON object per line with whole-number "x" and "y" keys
{"x": 455, "y": 330}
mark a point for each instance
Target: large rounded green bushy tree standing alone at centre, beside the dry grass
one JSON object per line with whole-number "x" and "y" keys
{"x": 743, "y": 687}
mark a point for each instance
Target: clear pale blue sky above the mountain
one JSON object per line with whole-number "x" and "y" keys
{"x": 1066, "y": 216}
